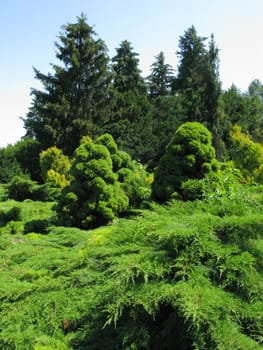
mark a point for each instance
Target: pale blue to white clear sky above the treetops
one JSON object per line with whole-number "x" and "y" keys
{"x": 30, "y": 28}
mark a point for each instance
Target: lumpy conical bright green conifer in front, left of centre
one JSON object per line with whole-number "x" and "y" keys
{"x": 94, "y": 196}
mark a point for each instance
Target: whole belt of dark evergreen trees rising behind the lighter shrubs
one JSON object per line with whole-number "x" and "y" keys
{"x": 89, "y": 94}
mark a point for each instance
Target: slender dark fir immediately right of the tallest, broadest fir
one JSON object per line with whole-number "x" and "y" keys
{"x": 130, "y": 123}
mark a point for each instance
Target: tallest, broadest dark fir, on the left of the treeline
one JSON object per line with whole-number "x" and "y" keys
{"x": 75, "y": 98}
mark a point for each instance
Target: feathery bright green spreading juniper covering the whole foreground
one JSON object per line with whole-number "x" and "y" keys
{"x": 182, "y": 276}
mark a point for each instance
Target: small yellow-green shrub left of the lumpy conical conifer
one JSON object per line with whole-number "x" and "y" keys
{"x": 55, "y": 167}
